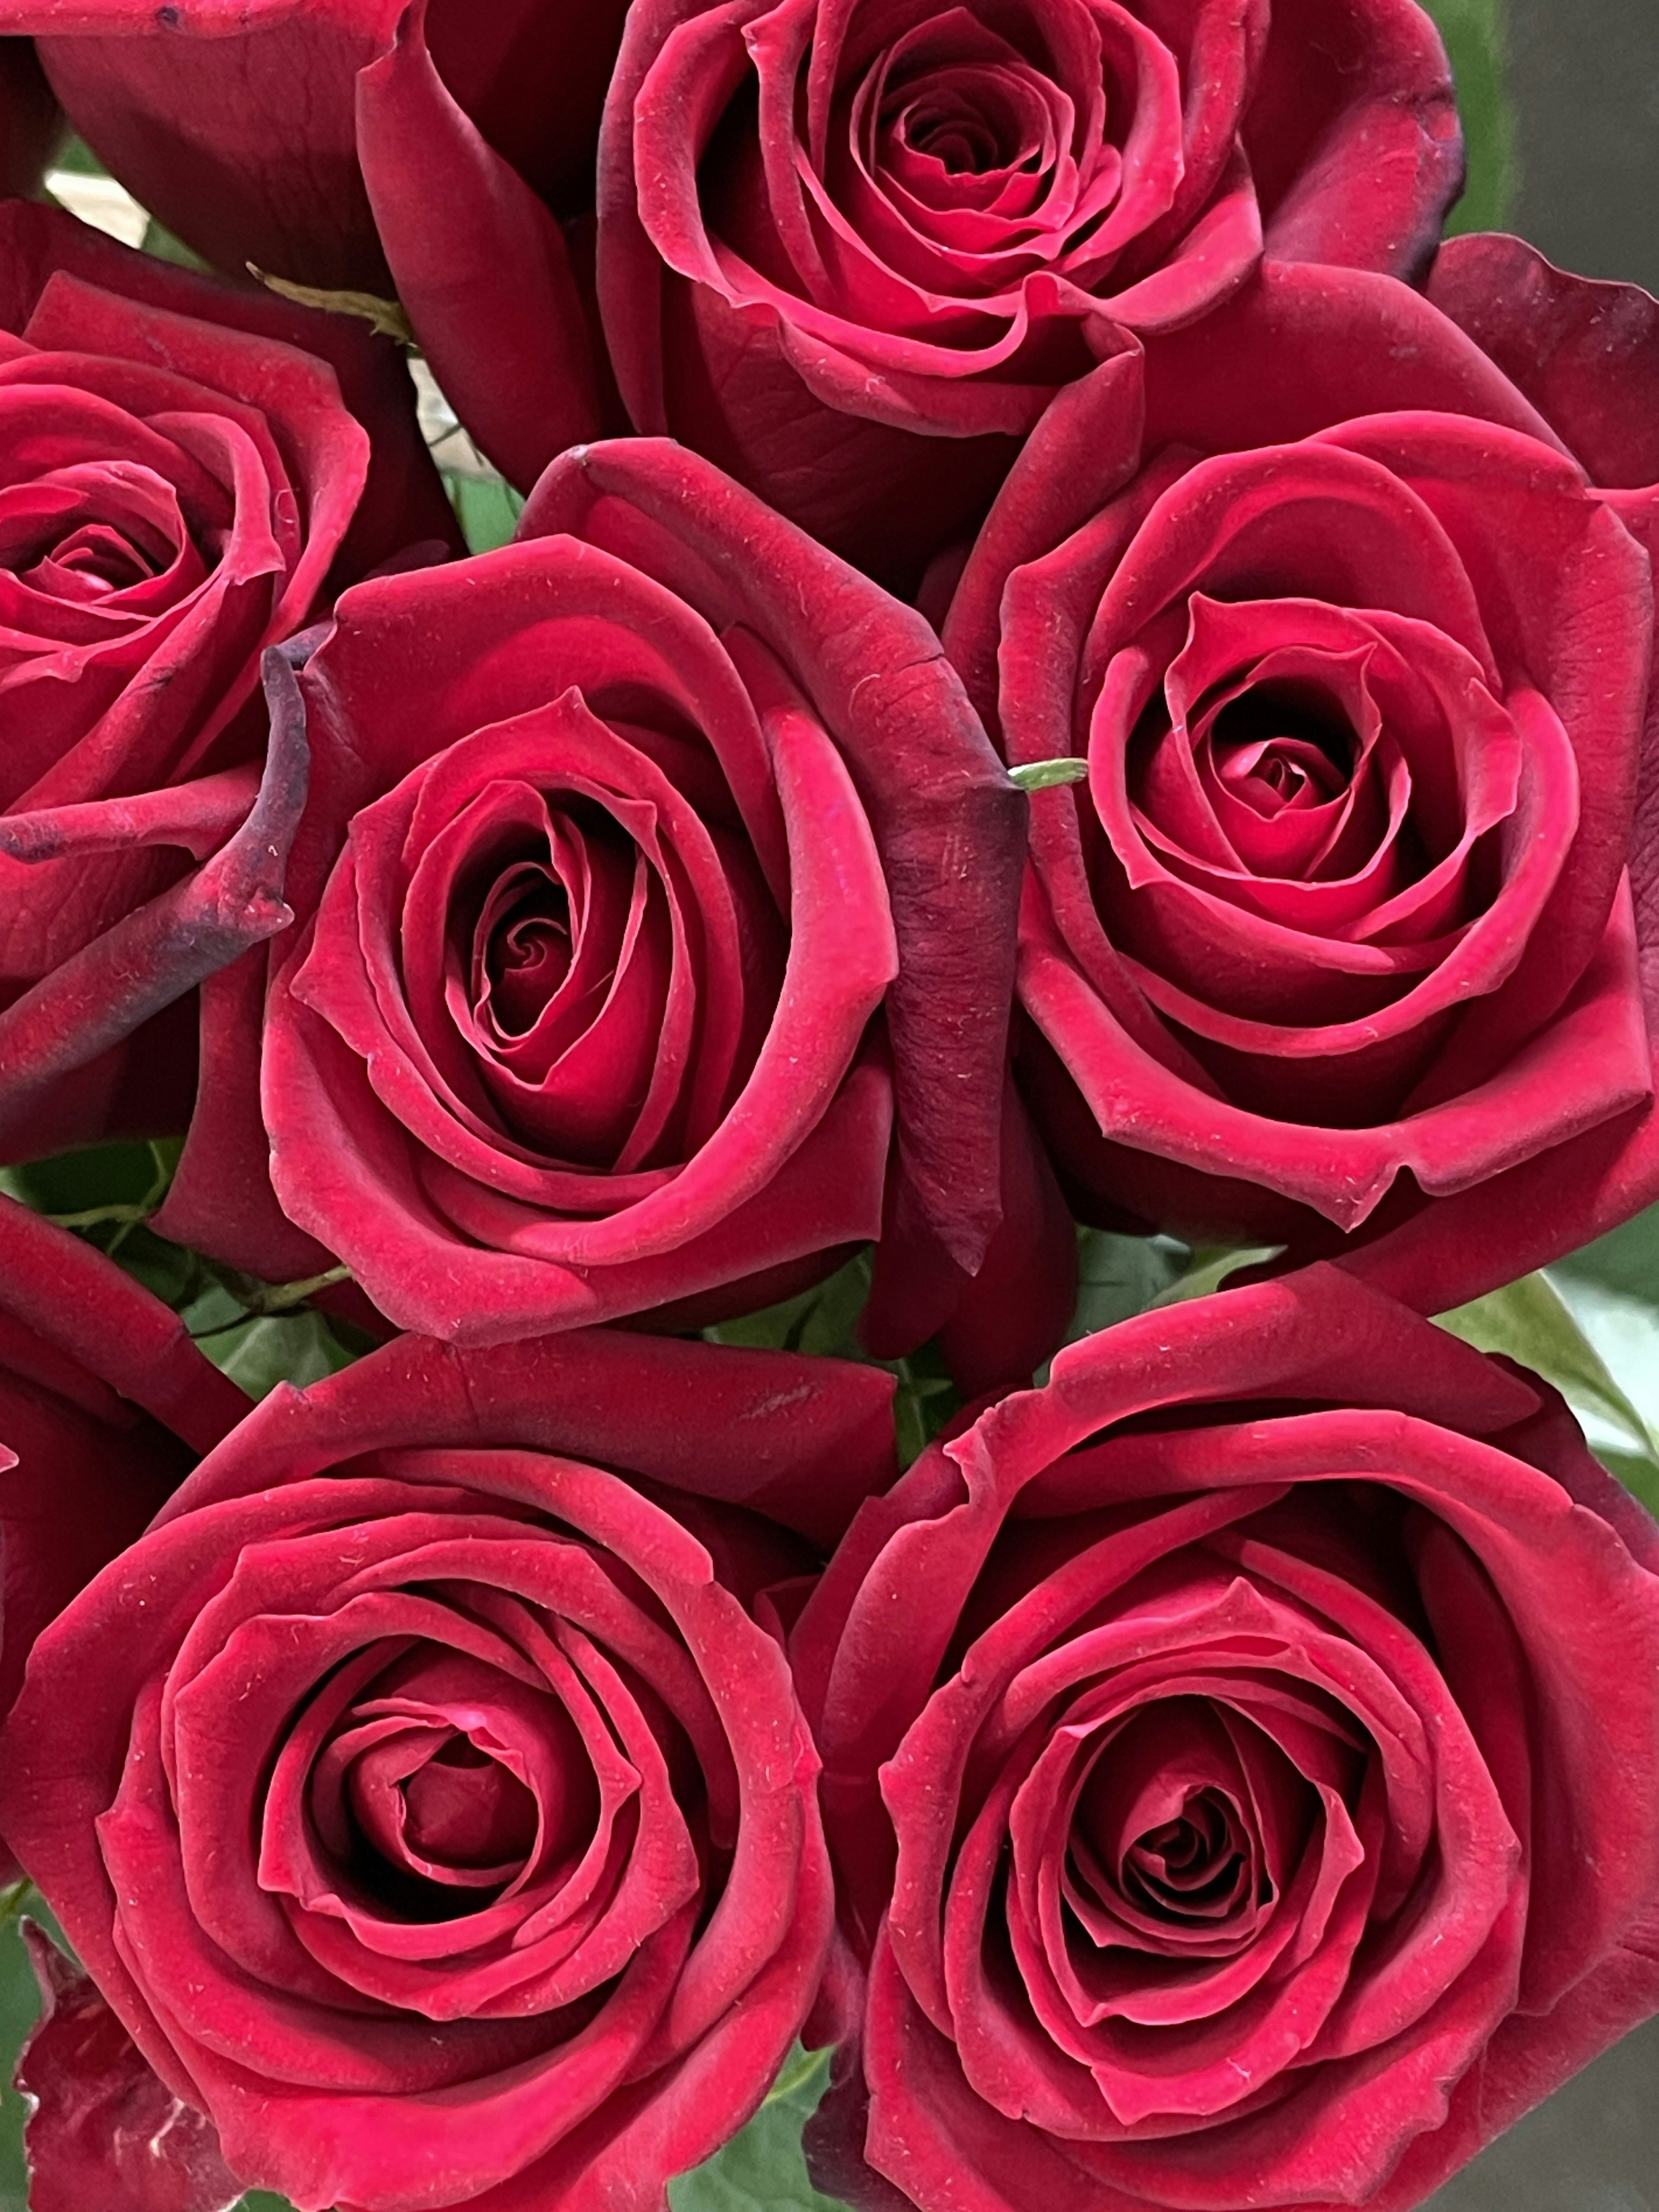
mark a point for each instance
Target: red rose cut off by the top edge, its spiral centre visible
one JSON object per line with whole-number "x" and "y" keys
{"x": 835, "y": 240}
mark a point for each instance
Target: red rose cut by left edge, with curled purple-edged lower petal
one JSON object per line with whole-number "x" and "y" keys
{"x": 180, "y": 486}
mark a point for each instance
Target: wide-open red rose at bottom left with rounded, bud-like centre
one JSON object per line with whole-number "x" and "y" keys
{"x": 439, "y": 1815}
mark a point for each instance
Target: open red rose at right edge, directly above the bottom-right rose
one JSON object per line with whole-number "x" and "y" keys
{"x": 1346, "y": 930}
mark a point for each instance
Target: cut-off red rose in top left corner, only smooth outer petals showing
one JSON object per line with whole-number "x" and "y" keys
{"x": 371, "y": 145}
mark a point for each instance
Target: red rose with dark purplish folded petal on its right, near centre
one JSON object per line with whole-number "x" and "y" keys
{"x": 634, "y": 881}
